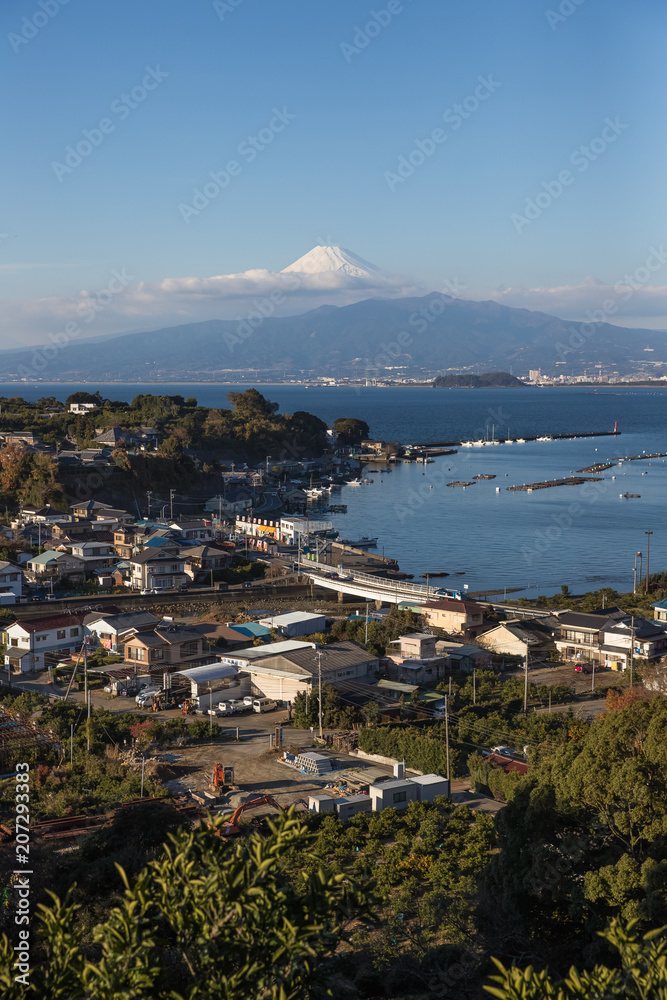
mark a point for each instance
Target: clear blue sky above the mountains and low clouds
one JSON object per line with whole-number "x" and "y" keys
{"x": 324, "y": 177}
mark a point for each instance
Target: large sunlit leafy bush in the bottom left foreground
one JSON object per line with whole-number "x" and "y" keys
{"x": 209, "y": 920}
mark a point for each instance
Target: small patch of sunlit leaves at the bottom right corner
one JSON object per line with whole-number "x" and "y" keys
{"x": 642, "y": 975}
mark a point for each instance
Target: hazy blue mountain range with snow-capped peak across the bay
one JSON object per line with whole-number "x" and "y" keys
{"x": 371, "y": 338}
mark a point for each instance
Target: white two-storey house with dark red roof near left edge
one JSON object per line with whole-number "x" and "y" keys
{"x": 36, "y": 643}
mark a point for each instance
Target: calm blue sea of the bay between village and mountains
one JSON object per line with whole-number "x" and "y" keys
{"x": 585, "y": 537}
